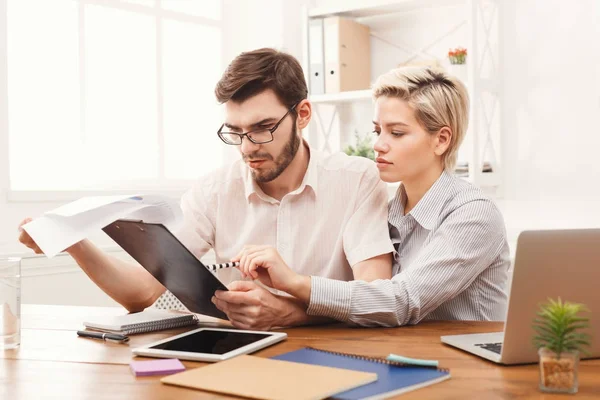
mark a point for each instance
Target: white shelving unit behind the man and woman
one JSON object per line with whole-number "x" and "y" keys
{"x": 478, "y": 22}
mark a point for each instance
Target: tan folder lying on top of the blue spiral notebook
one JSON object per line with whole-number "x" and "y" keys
{"x": 264, "y": 378}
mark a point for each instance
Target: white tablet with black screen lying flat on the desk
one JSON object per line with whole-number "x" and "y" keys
{"x": 210, "y": 344}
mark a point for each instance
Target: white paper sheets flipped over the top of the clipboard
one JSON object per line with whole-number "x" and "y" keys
{"x": 60, "y": 228}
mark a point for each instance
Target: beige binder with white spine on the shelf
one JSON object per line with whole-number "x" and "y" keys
{"x": 347, "y": 55}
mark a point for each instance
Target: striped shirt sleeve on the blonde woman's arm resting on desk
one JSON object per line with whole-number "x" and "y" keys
{"x": 464, "y": 245}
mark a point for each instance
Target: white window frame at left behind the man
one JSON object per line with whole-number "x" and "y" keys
{"x": 170, "y": 187}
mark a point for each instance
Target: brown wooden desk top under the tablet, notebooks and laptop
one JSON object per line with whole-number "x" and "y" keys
{"x": 52, "y": 362}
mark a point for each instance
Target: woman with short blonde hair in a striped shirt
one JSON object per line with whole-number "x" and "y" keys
{"x": 451, "y": 257}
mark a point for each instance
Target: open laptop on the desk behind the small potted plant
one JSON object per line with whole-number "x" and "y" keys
{"x": 548, "y": 264}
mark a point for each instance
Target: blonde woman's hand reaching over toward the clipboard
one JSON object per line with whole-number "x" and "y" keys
{"x": 265, "y": 264}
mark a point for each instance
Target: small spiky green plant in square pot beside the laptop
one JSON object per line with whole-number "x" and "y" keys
{"x": 559, "y": 341}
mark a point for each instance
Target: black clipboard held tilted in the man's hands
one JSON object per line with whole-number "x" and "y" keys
{"x": 170, "y": 262}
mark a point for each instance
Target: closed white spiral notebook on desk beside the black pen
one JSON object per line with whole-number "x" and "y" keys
{"x": 145, "y": 321}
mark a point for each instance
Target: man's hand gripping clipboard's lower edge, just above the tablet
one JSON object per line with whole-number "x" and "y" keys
{"x": 250, "y": 306}
